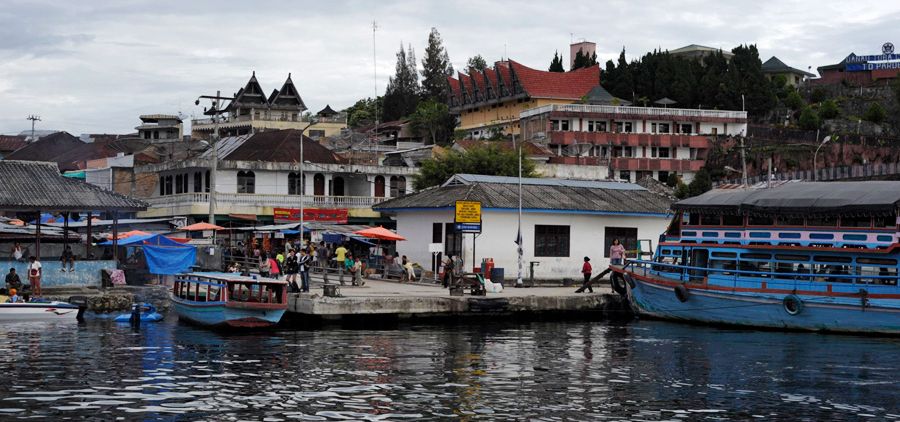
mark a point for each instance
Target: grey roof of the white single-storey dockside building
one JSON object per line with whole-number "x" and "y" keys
{"x": 537, "y": 194}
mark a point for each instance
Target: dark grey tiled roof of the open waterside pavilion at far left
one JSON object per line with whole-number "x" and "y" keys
{"x": 33, "y": 185}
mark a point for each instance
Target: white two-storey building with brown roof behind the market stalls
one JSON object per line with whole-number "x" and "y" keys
{"x": 259, "y": 177}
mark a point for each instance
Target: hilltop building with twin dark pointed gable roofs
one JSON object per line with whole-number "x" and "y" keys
{"x": 252, "y": 111}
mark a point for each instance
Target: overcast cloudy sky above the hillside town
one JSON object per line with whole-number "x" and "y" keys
{"x": 93, "y": 66}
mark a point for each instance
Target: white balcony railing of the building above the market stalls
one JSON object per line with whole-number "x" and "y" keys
{"x": 266, "y": 200}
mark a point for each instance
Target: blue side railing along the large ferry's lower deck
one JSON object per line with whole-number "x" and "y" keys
{"x": 693, "y": 274}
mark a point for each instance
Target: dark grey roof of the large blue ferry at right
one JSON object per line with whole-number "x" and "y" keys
{"x": 871, "y": 197}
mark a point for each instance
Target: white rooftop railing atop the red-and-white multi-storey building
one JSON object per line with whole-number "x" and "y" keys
{"x": 642, "y": 111}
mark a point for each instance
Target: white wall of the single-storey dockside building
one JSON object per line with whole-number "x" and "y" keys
{"x": 587, "y": 238}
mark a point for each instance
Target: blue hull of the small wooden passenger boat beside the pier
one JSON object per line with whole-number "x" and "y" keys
{"x": 222, "y": 315}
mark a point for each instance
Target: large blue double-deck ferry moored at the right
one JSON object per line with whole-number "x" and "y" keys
{"x": 804, "y": 256}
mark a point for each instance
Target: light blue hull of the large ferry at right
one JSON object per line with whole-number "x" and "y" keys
{"x": 658, "y": 299}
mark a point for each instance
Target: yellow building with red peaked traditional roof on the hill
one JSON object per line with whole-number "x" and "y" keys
{"x": 490, "y": 101}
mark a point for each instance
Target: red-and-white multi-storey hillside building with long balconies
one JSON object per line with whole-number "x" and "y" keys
{"x": 630, "y": 142}
